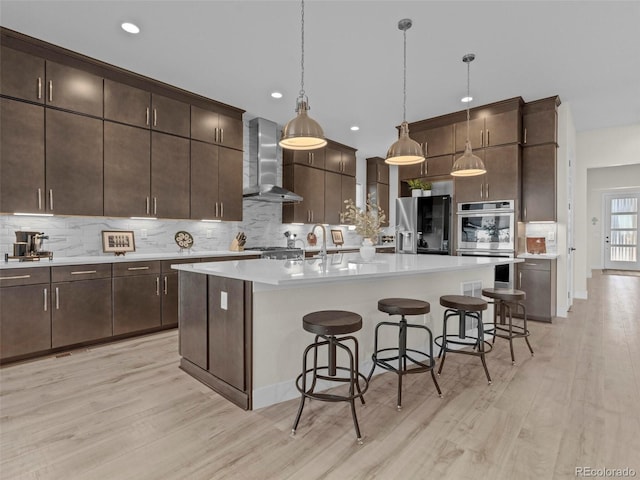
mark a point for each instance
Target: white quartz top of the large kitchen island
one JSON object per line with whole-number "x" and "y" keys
{"x": 339, "y": 267}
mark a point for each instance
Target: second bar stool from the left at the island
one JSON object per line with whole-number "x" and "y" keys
{"x": 426, "y": 363}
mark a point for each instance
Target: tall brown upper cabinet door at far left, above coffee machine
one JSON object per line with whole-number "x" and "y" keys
{"x": 22, "y": 185}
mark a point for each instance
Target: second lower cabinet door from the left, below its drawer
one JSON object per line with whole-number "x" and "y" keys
{"x": 81, "y": 311}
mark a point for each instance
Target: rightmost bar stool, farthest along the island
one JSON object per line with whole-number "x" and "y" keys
{"x": 503, "y": 301}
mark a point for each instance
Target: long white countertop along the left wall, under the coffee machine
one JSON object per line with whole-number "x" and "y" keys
{"x": 129, "y": 257}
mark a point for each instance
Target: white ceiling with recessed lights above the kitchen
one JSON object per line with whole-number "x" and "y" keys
{"x": 237, "y": 52}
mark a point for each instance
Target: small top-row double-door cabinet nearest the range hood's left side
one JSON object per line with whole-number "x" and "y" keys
{"x": 215, "y": 127}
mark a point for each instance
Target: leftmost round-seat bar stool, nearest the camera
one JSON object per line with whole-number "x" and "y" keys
{"x": 327, "y": 325}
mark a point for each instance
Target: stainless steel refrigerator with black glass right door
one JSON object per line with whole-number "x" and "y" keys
{"x": 424, "y": 225}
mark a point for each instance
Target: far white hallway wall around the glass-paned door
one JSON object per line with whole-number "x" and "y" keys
{"x": 599, "y": 181}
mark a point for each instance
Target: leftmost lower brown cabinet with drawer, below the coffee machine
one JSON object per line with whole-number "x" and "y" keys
{"x": 25, "y": 318}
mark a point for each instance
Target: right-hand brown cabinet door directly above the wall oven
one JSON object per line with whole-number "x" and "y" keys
{"x": 503, "y": 168}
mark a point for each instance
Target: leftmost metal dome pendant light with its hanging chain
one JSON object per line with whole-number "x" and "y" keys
{"x": 303, "y": 132}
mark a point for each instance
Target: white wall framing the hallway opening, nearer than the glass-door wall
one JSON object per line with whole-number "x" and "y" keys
{"x": 610, "y": 147}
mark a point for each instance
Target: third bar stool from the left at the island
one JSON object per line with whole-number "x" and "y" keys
{"x": 463, "y": 306}
